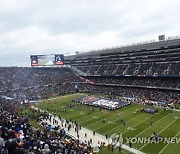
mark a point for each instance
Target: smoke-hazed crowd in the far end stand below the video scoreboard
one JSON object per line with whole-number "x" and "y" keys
{"x": 35, "y": 83}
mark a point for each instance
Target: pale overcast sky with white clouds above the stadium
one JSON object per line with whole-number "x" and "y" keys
{"x": 66, "y": 26}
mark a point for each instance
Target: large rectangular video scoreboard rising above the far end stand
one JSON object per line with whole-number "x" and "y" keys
{"x": 47, "y": 60}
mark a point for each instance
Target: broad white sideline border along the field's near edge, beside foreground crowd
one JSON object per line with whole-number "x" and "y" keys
{"x": 89, "y": 133}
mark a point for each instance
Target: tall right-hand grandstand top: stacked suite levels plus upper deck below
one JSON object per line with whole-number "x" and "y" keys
{"x": 155, "y": 58}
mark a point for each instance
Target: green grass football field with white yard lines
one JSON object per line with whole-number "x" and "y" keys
{"x": 137, "y": 125}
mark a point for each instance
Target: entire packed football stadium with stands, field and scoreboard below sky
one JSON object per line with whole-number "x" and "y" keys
{"x": 120, "y": 100}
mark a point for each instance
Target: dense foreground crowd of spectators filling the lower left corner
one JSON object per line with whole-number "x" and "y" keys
{"x": 18, "y": 136}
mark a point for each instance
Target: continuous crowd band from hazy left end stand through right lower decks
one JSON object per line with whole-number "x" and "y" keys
{"x": 38, "y": 83}
